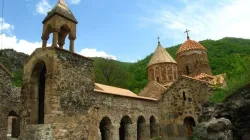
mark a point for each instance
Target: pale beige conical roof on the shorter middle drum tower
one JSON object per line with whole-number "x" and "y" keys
{"x": 160, "y": 56}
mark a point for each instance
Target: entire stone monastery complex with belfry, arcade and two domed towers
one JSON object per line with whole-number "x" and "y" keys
{"x": 59, "y": 99}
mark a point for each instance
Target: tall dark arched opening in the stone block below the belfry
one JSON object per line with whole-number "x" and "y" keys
{"x": 38, "y": 93}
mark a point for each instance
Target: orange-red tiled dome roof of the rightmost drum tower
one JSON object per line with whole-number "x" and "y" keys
{"x": 190, "y": 45}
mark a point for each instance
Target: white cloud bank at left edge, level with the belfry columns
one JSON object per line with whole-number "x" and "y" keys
{"x": 20, "y": 45}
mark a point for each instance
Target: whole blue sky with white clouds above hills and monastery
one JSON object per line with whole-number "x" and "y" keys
{"x": 127, "y": 30}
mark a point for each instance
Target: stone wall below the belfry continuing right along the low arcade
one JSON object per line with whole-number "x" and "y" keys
{"x": 72, "y": 107}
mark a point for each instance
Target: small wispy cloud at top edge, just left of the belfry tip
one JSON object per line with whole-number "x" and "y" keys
{"x": 43, "y": 7}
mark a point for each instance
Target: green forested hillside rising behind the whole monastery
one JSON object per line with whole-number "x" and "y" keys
{"x": 227, "y": 55}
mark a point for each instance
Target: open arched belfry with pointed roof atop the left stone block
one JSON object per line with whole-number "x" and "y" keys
{"x": 60, "y": 22}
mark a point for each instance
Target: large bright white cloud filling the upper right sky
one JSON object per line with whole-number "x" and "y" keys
{"x": 205, "y": 18}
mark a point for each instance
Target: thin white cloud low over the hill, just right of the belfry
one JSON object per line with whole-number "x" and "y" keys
{"x": 94, "y": 53}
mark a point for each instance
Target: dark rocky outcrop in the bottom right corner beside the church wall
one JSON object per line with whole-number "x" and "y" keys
{"x": 229, "y": 120}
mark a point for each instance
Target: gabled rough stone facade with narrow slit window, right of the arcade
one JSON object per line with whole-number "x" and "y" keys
{"x": 175, "y": 108}
